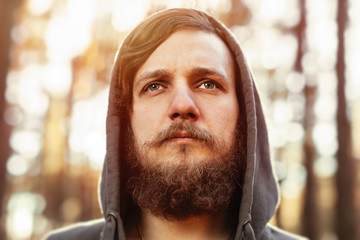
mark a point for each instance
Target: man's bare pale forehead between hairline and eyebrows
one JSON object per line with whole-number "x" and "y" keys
{"x": 186, "y": 48}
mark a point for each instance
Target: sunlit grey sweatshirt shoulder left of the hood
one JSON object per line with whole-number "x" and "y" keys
{"x": 89, "y": 230}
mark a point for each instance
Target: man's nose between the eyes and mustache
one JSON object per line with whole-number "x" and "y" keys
{"x": 183, "y": 105}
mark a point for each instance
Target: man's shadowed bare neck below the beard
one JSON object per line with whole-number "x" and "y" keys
{"x": 204, "y": 227}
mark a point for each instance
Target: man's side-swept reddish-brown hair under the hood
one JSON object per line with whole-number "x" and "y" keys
{"x": 142, "y": 41}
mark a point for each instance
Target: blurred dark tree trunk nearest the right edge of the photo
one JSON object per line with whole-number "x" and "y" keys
{"x": 346, "y": 214}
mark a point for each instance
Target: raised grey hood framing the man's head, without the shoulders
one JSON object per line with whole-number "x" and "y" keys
{"x": 259, "y": 191}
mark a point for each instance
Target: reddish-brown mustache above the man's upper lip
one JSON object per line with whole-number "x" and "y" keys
{"x": 192, "y": 131}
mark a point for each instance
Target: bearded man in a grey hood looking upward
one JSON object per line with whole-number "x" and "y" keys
{"x": 187, "y": 149}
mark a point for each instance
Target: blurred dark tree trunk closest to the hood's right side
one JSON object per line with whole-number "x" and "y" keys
{"x": 310, "y": 214}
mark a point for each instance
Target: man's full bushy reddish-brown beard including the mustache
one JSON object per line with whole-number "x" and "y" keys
{"x": 184, "y": 189}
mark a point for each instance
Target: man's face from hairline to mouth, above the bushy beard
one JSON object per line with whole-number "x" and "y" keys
{"x": 185, "y": 108}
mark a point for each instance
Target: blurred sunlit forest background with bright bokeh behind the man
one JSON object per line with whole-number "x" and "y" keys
{"x": 55, "y": 61}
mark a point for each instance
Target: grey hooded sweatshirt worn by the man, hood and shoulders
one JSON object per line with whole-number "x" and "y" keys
{"x": 259, "y": 191}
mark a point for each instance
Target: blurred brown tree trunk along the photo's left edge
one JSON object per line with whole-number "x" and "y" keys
{"x": 7, "y": 20}
